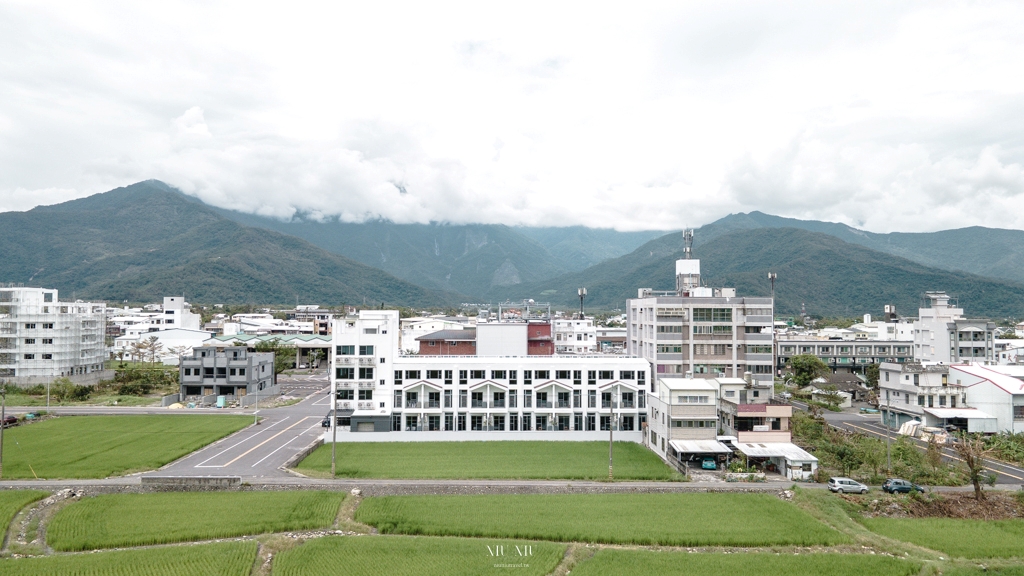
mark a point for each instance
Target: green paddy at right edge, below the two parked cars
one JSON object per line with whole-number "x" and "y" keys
{"x": 962, "y": 539}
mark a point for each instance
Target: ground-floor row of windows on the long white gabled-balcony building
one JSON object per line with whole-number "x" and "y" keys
{"x": 514, "y": 423}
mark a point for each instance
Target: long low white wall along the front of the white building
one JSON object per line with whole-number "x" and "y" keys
{"x": 479, "y": 436}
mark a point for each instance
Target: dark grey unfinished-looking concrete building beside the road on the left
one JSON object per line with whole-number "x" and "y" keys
{"x": 230, "y": 372}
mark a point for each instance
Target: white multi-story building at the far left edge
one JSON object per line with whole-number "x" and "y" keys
{"x": 42, "y": 339}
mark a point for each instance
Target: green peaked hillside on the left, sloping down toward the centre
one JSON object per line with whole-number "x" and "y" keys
{"x": 148, "y": 240}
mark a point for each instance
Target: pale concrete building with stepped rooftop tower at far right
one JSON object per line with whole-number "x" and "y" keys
{"x": 942, "y": 335}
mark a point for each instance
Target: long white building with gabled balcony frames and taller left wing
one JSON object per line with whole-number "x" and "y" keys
{"x": 458, "y": 398}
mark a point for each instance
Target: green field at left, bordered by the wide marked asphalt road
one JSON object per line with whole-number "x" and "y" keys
{"x": 104, "y": 446}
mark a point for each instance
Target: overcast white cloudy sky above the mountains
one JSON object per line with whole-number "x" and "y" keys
{"x": 886, "y": 116}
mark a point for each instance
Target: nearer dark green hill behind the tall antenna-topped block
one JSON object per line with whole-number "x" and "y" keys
{"x": 830, "y": 276}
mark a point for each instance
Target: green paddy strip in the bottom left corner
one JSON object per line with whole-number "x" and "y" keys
{"x": 229, "y": 559}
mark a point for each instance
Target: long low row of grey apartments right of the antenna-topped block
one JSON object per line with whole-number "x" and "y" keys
{"x": 843, "y": 356}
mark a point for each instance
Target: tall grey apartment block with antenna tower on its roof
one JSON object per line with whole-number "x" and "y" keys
{"x": 696, "y": 332}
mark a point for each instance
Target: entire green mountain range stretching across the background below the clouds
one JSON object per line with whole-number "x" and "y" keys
{"x": 141, "y": 242}
